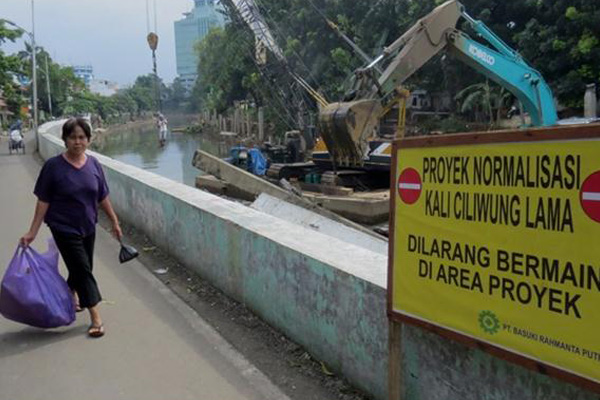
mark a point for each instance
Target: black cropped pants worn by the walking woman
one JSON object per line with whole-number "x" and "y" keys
{"x": 78, "y": 252}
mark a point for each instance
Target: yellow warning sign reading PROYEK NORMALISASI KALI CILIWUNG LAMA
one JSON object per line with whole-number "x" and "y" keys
{"x": 501, "y": 243}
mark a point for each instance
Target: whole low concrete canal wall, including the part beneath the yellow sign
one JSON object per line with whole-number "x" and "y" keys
{"x": 327, "y": 295}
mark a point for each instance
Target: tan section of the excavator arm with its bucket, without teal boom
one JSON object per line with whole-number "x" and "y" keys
{"x": 346, "y": 127}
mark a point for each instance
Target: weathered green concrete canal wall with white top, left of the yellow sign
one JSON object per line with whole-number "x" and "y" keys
{"x": 319, "y": 291}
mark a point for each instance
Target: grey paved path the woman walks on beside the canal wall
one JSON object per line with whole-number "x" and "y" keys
{"x": 155, "y": 346}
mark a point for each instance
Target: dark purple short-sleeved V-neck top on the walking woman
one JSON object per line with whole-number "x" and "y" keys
{"x": 73, "y": 194}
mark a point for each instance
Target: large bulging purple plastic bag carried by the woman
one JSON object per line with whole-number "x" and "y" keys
{"x": 33, "y": 292}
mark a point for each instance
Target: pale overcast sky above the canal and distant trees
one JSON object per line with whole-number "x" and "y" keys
{"x": 110, "y": 35}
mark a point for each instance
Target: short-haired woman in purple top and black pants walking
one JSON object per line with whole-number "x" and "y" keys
{"x": 69, "y": 188}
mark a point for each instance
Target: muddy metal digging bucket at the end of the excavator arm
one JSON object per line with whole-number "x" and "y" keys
{"x": 346, "y": 128}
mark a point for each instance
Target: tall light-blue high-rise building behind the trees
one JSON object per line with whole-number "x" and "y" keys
{"x": 189, "y": 31}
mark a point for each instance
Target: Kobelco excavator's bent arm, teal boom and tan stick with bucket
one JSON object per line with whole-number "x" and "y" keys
{"x": 347, "y": 128}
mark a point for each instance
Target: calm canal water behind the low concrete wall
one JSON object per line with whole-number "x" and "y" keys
{"x": 139, "y": 147}
